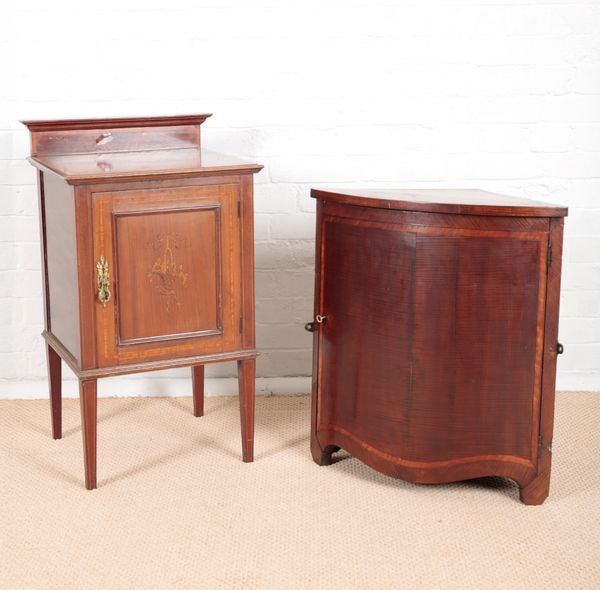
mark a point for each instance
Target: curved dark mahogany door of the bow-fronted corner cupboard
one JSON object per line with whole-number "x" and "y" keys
{"x": 431, "y": 353}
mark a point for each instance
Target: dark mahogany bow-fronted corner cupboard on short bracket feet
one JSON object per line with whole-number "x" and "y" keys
{"x": 435, "y": 334}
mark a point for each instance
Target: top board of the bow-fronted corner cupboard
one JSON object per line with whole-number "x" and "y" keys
{"x": 457, "y": 201}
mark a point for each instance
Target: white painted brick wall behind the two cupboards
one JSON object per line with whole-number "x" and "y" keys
{"x": 498, "y": 94}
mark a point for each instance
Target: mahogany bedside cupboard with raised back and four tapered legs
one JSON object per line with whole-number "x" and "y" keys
{"x": 148, "y": 258}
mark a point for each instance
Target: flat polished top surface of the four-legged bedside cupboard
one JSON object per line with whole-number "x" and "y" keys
{"x": 102, "y": 167}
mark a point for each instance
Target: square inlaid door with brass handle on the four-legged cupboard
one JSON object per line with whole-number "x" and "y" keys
{"x": 173, "y": 258}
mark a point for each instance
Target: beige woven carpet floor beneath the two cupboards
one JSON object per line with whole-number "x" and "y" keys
{"x": 177, "y": 508}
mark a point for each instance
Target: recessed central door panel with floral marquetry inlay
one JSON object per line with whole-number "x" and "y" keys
{"x": 167, "y": 273}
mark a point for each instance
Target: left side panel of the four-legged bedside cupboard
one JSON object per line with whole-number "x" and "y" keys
{"x": 61, "y": 255}
